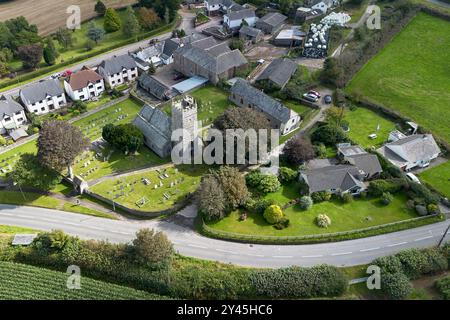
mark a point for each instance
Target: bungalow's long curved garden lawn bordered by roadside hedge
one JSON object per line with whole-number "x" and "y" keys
{"x": 344, "y": 217}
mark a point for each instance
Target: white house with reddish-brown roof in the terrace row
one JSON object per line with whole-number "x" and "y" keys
{"x": 84, "y": 85}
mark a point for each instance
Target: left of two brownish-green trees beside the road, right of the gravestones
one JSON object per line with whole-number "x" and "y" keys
{"x": 211, "y": 199}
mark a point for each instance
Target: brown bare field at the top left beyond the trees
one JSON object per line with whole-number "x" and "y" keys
{"x": 49, "y": 15}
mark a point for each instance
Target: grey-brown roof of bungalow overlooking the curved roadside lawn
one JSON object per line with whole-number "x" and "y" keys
{"x": 340, "y": 177}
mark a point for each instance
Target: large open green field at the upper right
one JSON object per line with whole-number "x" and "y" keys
{"x": 412, "y": 74}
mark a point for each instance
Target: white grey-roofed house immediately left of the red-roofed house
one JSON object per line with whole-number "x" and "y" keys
{"x": 43, "y": 97}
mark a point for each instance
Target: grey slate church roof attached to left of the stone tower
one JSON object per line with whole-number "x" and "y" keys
{"x": 156, "y": 128}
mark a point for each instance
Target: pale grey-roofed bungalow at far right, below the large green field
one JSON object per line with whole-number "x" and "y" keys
{"x": 417, "y": 150}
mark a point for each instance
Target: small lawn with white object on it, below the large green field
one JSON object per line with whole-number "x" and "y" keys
{"x": 363, "y": 122}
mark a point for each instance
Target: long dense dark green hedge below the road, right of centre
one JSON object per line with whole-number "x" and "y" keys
{"x": 296, "y": 282}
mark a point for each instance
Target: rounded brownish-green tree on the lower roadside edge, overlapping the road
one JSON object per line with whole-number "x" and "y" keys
{"x": 152, "y": 248}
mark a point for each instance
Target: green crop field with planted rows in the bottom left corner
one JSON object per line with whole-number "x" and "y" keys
{"x": 23, "y": 282}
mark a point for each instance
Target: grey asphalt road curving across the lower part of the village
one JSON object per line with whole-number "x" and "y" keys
{"x": 189, "y": 243}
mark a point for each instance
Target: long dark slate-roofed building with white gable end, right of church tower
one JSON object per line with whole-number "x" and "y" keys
{"x": 245, "y": 95}
